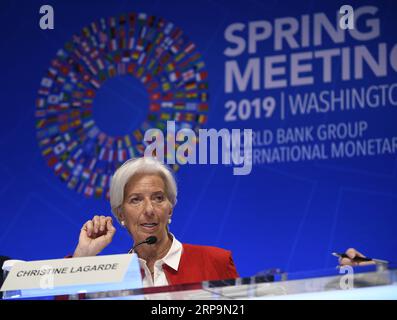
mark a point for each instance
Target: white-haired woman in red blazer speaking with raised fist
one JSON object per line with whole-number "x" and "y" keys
{"x": 143, "y": 193}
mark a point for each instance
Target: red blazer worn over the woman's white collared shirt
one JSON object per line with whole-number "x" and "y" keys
{"x": 201, "y": 263}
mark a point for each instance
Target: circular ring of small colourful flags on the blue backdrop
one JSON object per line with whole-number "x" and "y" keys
{"x": 151, "y": 49}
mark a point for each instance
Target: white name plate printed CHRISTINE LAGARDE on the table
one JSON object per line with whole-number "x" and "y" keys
{"x": 72, "y": 276}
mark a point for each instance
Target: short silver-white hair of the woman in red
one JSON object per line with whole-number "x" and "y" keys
{"x": 133, "y": 167}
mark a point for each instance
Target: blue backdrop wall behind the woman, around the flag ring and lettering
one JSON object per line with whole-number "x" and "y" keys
{"x": 289, "y": 213}
